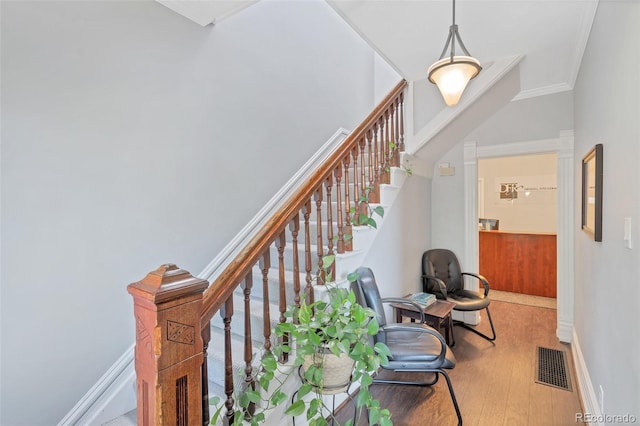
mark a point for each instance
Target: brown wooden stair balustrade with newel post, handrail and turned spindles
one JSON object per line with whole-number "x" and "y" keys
{"x": 173, "y": 314}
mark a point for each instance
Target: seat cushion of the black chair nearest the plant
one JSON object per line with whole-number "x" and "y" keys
{"x": 417, "y": 351}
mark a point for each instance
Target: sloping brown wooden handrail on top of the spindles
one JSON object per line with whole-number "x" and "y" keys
{"x": 224, "y": 285}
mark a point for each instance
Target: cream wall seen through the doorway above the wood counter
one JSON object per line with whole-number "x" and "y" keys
{"x": 535, "y": 207}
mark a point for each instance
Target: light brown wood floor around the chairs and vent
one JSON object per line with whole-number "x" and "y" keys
{"x": 494, "y": 383}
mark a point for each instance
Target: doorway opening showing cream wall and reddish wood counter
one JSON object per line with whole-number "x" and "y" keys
{"x": 517, "y": 211}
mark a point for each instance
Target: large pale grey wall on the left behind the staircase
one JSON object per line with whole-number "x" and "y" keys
{"x": 133, "y": 137}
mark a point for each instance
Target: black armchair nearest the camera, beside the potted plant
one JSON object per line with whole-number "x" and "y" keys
{"x": 414, "y": 347}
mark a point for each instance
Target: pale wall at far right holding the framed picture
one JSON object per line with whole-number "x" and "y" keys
{"x": 607, "y": 274}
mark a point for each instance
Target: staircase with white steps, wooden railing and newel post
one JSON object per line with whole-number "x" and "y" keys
{"x": 277, "y": 265}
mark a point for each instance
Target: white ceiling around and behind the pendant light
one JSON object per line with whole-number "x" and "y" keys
{"x": 410, "y": 34}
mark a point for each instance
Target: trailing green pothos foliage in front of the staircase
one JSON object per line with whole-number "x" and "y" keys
{"x": 334, "y": 324}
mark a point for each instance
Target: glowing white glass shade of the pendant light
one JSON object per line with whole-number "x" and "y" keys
{"x": 452, "y": 77}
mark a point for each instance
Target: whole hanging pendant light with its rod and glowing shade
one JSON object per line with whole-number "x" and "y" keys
{"x": 452, "y": 73}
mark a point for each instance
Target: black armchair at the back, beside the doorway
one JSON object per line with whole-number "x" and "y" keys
{"x": 441, "y": 275}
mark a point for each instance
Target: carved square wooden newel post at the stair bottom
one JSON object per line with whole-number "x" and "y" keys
{"x": 169, "y": 349}
